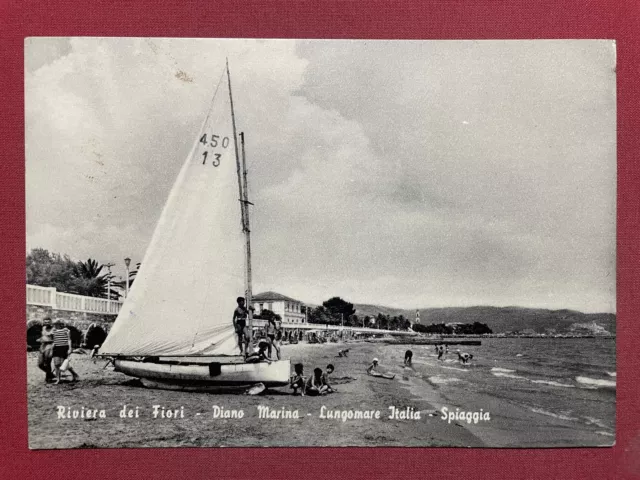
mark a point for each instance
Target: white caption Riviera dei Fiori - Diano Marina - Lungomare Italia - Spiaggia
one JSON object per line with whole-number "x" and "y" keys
{"x": 265, "y": 412}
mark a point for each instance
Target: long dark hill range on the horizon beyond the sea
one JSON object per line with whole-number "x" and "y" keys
{"x": 506, "y": 319}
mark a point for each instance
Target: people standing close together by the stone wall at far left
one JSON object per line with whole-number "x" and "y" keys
{"x": 55, "y": 347}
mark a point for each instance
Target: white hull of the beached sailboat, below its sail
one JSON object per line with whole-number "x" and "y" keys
{"x": 206, "y": 377}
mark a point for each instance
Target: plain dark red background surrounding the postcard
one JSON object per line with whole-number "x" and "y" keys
{"x": 408, "y": 19}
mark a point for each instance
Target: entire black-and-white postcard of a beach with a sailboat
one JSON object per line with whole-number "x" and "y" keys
{"x": 246, "y": 242}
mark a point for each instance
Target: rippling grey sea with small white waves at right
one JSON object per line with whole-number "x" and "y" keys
{"x": 572, "y": 381}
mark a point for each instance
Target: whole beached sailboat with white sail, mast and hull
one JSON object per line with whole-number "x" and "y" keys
{"x": 174, "y": 329}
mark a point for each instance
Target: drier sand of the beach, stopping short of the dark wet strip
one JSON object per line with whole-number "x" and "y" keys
{"x": 104, "y": 389}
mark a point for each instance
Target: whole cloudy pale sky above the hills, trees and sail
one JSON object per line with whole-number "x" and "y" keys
{"x": 400, "y": 173}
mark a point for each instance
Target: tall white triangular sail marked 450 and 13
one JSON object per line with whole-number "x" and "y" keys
{"x": 185, "y": 292}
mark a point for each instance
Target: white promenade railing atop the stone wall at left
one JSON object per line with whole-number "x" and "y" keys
{"x": 50, "y": 297}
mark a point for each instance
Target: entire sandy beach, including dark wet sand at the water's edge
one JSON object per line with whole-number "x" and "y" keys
{"x": 415, "y": 389}
